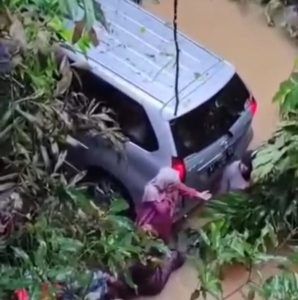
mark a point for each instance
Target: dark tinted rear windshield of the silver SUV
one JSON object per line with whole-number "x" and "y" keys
{"x": 205, "y": 124}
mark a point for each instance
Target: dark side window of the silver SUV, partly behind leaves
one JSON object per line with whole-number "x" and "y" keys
{"x": 130, "y": 115}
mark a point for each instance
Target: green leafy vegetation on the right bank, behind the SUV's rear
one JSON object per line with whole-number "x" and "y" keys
{"x": 252, "y": 228}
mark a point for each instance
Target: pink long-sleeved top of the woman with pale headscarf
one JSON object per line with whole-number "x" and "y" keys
{"x": 159, "y": 213}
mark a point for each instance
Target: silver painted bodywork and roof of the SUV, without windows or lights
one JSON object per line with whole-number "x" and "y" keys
{"x": 136, "y": 56}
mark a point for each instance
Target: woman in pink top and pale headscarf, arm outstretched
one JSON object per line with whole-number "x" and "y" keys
{"x": 161, "y": 196}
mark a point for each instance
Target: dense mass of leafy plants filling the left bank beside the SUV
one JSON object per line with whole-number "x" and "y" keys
{"x": 51, "y": 231}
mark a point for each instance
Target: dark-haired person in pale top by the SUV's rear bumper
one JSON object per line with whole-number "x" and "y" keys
{"x": 237, "y": 176}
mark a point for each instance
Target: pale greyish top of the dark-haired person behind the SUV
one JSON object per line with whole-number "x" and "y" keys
{"x": 232, "y": 179}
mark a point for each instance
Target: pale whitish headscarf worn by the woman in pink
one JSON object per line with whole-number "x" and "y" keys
{"x": 153, "y": 189}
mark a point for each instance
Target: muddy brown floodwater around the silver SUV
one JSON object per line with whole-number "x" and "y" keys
{"x": 263, "y": 56}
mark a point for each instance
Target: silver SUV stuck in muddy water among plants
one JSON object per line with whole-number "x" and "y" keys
{"x": 132, "y": 71}
